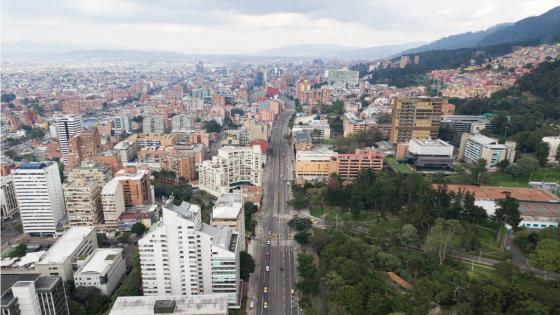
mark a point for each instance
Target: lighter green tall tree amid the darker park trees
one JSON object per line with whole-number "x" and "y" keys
{"x": 440, "y": 238}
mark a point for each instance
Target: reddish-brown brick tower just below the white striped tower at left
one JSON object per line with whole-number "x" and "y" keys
{"x": 83, "y": 147}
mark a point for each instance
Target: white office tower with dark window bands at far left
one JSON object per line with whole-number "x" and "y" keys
{"x": 40, "y": 198}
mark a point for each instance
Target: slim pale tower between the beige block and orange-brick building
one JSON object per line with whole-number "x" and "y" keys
{"x": 112, "y": 199}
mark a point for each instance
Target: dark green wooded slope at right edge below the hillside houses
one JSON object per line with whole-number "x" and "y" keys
{"x": 525, "y": 112}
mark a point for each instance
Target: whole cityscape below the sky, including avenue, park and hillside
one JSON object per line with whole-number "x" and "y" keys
{"x": 427, "y": 182}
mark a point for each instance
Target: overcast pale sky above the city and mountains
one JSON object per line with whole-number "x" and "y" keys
{"x": 237, "y": 26}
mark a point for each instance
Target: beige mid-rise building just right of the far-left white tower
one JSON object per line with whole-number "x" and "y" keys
{"x": 83, "y": 202}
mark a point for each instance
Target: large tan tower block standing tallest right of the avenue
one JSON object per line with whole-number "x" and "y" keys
{"x": 415, "y": 118}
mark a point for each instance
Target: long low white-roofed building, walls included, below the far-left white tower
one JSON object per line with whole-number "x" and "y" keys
{"x": 60, "y": 259}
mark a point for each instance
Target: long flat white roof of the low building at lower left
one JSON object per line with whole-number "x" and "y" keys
{"x": 66, "y": 245}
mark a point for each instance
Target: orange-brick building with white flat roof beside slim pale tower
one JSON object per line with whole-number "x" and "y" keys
{"x": 136, "y": 186}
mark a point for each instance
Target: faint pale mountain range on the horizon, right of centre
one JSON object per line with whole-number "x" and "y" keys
{"x": 336, "y": 51}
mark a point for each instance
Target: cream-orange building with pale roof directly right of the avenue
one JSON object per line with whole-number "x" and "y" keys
{"x": 314, "y": 164}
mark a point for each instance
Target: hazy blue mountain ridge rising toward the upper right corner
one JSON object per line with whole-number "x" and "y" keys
{"x": 544, "y": 28}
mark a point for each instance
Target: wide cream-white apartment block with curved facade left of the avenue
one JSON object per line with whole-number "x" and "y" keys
{"x": 231, "y": 167}
